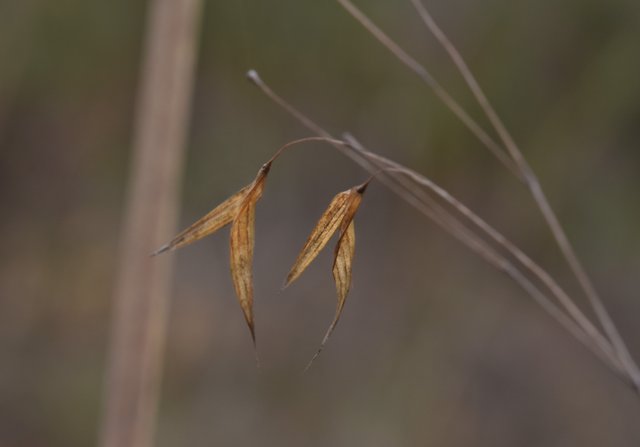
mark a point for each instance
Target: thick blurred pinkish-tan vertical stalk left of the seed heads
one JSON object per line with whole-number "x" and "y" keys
{"x": 142, "y": 283}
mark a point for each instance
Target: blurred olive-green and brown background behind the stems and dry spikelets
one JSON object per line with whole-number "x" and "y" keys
{"x": 434, "y": 347}
